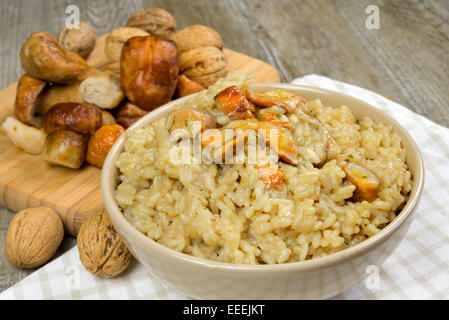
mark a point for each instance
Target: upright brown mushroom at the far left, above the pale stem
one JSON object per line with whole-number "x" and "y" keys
{"x": 28, "y": 89}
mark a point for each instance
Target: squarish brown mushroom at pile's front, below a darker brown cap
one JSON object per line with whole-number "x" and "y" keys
{"x": 65, "y": 148}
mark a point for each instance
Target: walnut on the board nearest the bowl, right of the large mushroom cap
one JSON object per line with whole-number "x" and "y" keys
{"x": 203, "y": 65}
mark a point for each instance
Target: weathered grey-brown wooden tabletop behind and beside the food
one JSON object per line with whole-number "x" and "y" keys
{"x": 407, "y": 58}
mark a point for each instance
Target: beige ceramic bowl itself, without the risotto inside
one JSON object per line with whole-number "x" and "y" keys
{"x": 312, "y": 279}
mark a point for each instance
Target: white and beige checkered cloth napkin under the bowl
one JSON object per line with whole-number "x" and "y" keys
{"x": 417, "y": 269}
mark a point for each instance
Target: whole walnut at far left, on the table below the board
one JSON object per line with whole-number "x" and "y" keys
{"x": 33, "y": 237}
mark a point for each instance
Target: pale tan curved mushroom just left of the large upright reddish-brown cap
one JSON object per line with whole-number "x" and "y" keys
{"x": 117, "y": 38}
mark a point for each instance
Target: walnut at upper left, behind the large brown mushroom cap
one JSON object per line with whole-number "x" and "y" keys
{"x": 82, "y": 40}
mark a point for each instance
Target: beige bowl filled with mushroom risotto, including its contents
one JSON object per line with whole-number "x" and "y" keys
{"x": 262, "y": 191}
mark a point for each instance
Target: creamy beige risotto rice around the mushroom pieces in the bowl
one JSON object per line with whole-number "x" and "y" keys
{"x": 228, "y": 213}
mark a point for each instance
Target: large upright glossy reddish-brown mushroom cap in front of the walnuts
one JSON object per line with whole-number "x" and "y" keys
{"x": 149, "y": 71}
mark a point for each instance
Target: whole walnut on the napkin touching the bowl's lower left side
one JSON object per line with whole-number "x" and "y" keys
{"x": 100, "y": 248}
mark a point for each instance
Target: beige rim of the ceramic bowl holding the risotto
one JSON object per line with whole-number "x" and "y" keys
{"x": 123, "y": 226}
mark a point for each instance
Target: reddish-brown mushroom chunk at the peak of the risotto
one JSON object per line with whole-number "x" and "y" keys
{"x": 234, "y": 104}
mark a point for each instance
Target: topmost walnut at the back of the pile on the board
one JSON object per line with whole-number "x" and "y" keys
{"x": 157, "y": 22}
